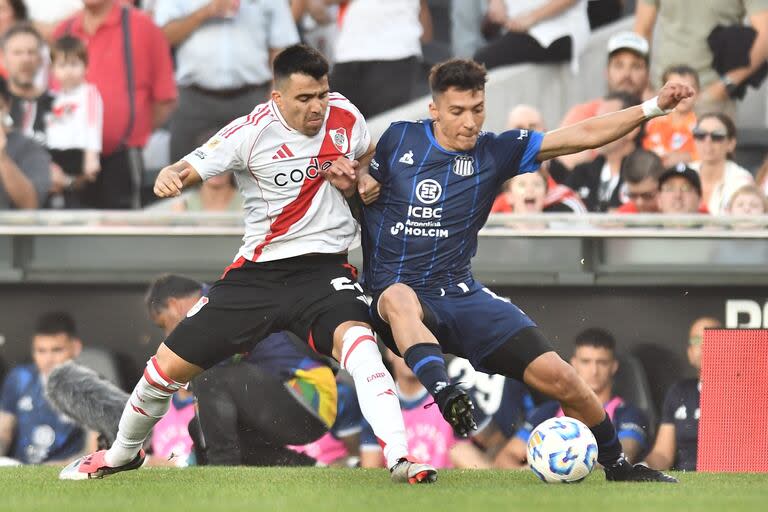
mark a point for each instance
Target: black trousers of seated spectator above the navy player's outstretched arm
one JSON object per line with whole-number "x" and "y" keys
{"x": 519, "y": 48}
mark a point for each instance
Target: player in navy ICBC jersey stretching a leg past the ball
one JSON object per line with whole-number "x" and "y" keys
{"x": 438, "y": 179}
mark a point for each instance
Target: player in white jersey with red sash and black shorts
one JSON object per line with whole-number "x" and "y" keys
{"x": 291, "y": 272}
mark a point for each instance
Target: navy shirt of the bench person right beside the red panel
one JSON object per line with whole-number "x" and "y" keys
{"x": 681, "y": 409}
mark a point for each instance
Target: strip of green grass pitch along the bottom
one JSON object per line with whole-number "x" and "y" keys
{"x": 356, "y": 490}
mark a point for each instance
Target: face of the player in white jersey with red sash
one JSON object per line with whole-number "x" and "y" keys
{"x": 303, "y": 101}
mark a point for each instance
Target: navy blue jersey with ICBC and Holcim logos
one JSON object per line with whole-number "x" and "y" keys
{"x": 422, "y": 231}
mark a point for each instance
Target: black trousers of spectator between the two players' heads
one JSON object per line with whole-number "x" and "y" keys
{"x": 378, "y": 85}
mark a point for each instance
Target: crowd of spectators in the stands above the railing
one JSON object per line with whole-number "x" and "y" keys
{"x": 90, "y": 107}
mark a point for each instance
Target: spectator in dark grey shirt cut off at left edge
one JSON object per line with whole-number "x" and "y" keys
{"x": 24, "y": 165}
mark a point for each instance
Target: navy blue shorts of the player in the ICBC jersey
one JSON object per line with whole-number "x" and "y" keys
{"x": 468, "y": 320}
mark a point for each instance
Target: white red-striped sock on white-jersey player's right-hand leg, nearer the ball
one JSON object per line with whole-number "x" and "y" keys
{"x": 375, "y": 388}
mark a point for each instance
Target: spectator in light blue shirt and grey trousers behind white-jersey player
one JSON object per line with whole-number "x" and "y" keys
{"x": 224, "y": 50}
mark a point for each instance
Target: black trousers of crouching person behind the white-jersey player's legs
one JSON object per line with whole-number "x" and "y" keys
{"x": 248, "y": 415}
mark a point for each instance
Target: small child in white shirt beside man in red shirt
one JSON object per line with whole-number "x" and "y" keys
{"x": 74, "y": 125}
